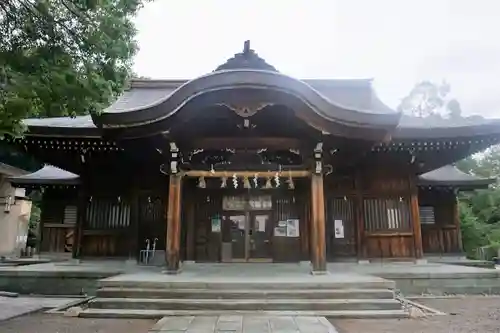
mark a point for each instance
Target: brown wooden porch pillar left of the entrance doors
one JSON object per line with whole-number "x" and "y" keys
{"x": 174, "y": 224}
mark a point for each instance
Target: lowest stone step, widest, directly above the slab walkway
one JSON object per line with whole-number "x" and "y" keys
{"x": 157, "y": 314}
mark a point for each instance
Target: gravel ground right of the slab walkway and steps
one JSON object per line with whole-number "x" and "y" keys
{"x": 471, "y": 314}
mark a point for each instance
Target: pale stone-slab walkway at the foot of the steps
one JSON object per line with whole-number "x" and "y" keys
{"x": 243, "y": 324}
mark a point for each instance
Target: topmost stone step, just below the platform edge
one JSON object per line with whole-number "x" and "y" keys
{"x": 260, "y": 285}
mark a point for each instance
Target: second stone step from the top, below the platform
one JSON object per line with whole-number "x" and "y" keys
{"x": 245, "y": 294}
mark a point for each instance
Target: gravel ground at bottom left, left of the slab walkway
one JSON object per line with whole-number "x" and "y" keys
{"x": 56, "y": 323}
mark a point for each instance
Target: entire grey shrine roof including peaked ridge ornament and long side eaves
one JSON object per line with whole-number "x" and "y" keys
{"x": 342, "y": 106}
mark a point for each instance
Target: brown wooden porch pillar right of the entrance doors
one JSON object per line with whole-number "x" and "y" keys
{"x": 318, "y": 246}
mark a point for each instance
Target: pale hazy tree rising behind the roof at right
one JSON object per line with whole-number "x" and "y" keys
{"x": 429, "y": 99}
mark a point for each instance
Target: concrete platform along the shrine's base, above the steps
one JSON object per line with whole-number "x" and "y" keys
{"x": 70, "y": 278}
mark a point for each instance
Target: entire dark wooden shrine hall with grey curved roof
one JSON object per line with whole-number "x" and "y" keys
{"x": 248, "y": 164}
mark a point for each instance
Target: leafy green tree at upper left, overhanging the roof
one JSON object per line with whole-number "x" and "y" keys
{"x": 62, "y": 57}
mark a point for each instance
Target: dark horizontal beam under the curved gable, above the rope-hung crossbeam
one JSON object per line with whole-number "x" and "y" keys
{"x": 247, "y": 143}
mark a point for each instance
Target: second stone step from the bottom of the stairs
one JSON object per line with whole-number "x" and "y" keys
{"x": 245, "y": 304}
